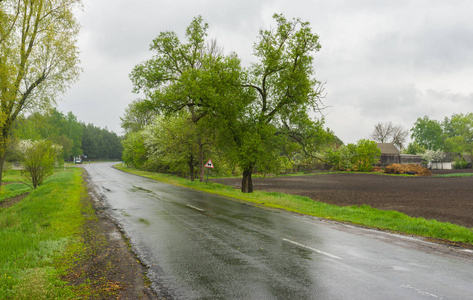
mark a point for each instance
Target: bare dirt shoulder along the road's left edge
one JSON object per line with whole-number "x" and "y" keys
{"x": 109, "y": 265}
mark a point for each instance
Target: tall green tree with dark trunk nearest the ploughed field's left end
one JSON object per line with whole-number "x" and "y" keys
{"x": 284, "y": 89}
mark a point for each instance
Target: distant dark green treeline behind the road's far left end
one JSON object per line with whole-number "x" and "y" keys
{"x": 76, "y": 138}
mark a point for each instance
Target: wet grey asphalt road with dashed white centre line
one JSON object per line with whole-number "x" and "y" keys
{"x": 201, "y": 246}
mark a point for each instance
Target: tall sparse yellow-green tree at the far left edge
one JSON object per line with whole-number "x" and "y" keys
{"x": 38, "y": 57}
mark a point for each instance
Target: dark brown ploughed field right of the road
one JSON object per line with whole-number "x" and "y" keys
{"x": 443, "y": 199}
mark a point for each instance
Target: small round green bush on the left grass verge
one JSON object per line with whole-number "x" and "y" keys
{"x": 38, "y": 159}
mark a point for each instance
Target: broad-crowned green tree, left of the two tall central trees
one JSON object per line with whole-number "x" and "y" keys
{"x": 192, "y": 76}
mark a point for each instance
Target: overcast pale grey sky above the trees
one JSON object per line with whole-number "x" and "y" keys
{"x": 382, "y": 60}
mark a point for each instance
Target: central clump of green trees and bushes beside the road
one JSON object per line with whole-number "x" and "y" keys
{"x": 201, "y": 103}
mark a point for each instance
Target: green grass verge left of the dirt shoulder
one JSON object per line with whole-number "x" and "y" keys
{"x": 39, "y": 238}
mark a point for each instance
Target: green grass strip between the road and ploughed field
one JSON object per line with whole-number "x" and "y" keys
{"x": 361, "y": 215}
